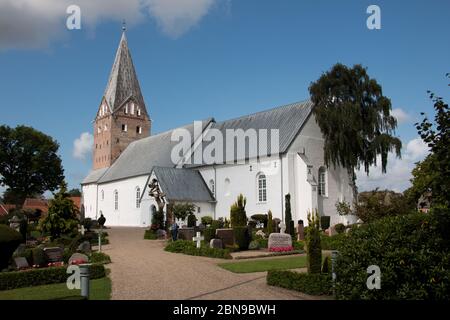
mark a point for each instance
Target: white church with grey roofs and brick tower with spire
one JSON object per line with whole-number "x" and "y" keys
{"x": 127, "y": 157}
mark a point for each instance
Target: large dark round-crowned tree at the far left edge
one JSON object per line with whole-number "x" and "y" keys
{"x": 29, "y": 163}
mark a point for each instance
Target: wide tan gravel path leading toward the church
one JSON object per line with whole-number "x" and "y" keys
{"x": 141, "y": 269}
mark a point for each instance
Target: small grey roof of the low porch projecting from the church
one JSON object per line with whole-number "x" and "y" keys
{"x": 182, "y": 185}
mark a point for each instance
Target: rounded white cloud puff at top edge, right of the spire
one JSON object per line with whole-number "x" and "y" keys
{"x": 176, "y": 17}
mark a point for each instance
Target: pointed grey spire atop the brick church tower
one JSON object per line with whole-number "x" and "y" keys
{"x": 123, "y": 83}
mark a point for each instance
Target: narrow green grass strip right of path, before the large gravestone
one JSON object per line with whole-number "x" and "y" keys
{"x": 265, "y": 264}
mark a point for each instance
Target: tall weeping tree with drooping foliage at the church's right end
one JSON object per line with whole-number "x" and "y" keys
{"x": 355, "y": 119}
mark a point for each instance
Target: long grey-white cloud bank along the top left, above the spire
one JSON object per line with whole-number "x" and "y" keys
{"x": 33, "y": 24}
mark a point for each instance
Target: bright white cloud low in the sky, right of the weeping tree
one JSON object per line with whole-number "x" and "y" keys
{"x": 398, "y": 173}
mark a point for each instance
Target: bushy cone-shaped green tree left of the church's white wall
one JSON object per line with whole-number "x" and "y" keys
{"x": 62, "y": 215}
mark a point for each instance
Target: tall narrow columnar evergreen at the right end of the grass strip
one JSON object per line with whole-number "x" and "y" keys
{"x": 314, "y": 249}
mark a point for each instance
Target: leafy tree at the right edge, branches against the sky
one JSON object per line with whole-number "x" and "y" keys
{"x": 433, "y": 174}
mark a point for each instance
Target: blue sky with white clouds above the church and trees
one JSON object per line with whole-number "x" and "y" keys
{"x": 220, "y": 58}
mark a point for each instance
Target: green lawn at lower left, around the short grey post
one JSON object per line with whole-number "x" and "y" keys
{"x": 100, "y": 290}
